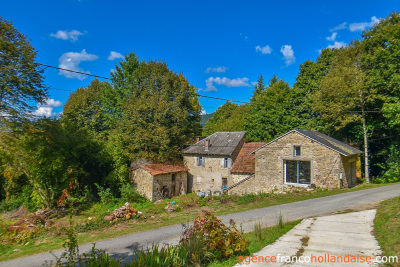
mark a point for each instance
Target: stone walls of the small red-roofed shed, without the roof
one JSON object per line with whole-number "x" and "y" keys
{"x": 155, "y": 187}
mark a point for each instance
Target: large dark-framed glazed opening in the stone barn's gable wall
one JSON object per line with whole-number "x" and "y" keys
{"x": 297, "y": 172}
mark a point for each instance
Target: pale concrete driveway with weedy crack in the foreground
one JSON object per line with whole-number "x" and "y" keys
{"x": 324, "y": 241}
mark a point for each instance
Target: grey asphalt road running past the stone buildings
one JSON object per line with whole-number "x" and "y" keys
{"x": 125, "y": 245}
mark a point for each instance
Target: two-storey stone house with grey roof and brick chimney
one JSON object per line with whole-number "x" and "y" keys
{"x": 210, "y": 160}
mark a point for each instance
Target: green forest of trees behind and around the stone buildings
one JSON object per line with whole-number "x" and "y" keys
{"x": 149, "y": 113}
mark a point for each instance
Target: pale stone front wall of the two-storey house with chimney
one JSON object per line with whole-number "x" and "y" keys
{"x": 208, "y": 177}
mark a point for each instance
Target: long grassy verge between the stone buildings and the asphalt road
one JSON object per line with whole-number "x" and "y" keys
{"x": 91, "y": 227}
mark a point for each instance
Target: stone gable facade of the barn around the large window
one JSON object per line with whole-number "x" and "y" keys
{"x": 329, "y": 169}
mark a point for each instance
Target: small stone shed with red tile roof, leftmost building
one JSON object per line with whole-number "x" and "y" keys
{"x": 158, "y": 181}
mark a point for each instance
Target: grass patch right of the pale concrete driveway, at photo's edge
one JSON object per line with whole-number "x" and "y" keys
{"x": 387, "y": 227}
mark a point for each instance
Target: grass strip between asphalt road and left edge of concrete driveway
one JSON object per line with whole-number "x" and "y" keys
{"x": 268, "y": 236}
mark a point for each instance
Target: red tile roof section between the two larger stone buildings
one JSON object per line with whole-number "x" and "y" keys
{"x": 245, "y": 161}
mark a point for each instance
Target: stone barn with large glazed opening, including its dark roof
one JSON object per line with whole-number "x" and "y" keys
{"x": 301, "y": 158}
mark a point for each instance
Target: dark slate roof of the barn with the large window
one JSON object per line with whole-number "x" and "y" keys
{"x": 324, "y": 140}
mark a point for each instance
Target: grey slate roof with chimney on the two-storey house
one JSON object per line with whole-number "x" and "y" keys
{"x": 221, "y": 144}
